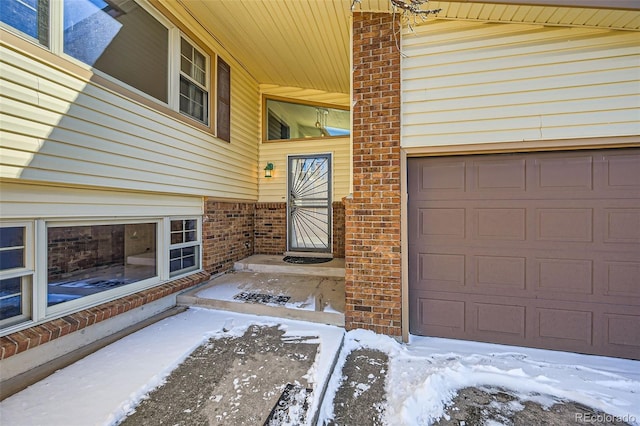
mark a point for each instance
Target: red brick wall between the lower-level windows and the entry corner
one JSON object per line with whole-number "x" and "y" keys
{"x": 227, "y": 230}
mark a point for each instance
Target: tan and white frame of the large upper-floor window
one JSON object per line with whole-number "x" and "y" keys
{"x": 54, "y": 54}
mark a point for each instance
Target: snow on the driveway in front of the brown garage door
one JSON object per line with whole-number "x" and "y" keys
{"x": 424, "y": 376}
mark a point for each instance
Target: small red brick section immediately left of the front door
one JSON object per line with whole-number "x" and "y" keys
{"x": 270, "y": 234}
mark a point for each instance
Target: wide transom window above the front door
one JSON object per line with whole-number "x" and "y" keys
{"x": 294, "y": 120}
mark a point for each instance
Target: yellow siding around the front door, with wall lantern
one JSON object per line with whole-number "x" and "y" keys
{"x": 274, "y": 189}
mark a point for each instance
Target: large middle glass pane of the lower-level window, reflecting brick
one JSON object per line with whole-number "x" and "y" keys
{"x": 90, "y": 259}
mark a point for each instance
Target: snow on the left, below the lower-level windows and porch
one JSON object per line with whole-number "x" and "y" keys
{"x": 102, "y": 388}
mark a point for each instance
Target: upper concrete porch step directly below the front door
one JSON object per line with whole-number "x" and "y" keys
{"x": 276, "y": 264}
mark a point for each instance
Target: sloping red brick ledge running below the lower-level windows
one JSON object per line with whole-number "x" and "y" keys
{"x": 31, "y": 337}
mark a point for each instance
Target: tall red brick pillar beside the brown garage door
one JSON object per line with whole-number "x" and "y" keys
{"x": 373, "y": 270}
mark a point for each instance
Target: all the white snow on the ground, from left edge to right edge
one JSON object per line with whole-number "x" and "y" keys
{"x": 422, "y": 378}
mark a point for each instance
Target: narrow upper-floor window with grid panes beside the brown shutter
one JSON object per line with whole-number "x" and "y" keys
{"x": 194, "y": 78}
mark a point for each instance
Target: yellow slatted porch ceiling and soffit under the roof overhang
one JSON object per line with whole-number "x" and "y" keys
{"x": 305, "y": 43}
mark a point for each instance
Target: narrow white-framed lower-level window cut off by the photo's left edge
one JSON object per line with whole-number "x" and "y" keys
{"x": 15, "y": 274}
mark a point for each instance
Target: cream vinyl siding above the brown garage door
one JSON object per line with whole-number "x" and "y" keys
{"x": 473, "y": 83}
